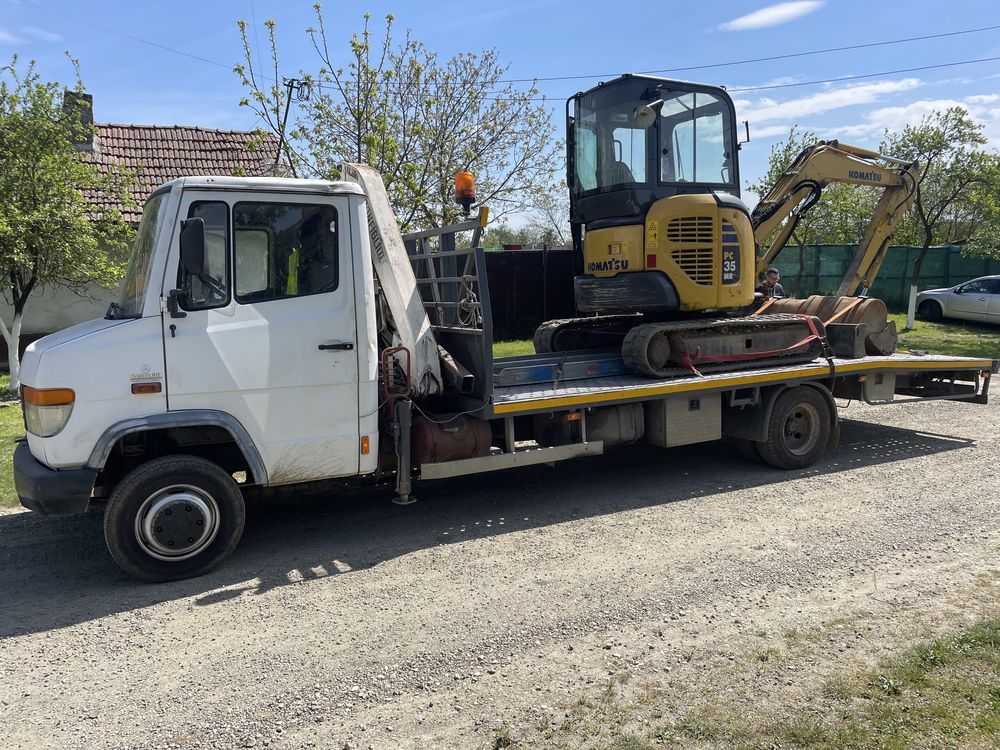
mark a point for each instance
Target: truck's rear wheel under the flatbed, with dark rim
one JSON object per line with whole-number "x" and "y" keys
{"x": 798, "y": 430}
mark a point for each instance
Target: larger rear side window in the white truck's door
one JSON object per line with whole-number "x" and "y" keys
{"x": 284, "y": 250}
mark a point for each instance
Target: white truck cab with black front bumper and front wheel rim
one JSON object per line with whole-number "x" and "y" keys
{"x": 244, "y": 335}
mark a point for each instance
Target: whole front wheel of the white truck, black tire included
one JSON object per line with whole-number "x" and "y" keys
{"x": 174, "y": 517}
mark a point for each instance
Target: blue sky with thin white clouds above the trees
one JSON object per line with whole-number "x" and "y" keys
{"x": 159, "y": 62}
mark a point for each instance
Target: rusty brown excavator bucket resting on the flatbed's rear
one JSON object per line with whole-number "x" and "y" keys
{"x": 855, "y": 326}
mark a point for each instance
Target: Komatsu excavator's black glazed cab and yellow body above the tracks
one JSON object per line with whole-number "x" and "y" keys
{"x": 657, "y": 221}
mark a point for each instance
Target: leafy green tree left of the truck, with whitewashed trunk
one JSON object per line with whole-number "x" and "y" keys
{"x": 50, "y": 236}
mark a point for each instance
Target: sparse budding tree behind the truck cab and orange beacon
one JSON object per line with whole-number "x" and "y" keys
{"x": 416, "y": 118}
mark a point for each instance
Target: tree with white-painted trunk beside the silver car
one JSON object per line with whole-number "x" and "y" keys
{"x": 954, "y": 172}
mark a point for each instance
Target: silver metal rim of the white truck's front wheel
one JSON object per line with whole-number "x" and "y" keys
{"x": 177, "y": 522}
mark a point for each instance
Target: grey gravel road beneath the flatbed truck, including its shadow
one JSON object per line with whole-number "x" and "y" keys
{"x": 345, "y": 621}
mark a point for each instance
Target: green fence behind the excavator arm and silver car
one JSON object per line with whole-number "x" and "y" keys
{"x": 818, "y": 269}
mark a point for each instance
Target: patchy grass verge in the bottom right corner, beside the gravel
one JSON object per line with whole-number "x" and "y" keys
{"x": 943, "y": 693}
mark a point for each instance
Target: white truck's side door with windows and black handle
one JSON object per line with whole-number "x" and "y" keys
{"x": 269, "y": 334}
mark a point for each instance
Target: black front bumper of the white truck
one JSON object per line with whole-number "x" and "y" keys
{"x": 55, "y": 492}
